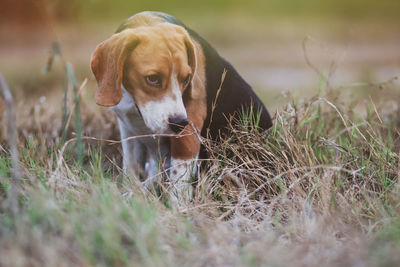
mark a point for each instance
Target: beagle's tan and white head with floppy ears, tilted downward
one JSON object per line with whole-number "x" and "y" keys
{"x": 155, "y": 64}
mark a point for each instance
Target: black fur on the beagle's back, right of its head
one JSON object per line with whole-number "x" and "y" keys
{"x": 235, "y": 95}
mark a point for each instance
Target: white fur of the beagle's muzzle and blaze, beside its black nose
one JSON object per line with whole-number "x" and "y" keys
{"x": 156, "y": 113}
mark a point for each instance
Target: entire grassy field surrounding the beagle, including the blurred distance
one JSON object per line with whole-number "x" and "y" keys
{"x": 320, "y": 188}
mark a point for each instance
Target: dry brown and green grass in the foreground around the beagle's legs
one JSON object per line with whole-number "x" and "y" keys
{"x": 321, "y": 188}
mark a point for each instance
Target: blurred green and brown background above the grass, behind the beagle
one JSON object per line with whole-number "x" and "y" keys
{"x": 351, "y": 42}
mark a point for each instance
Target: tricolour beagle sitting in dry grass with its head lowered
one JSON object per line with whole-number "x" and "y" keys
{"x": 164, "y": 83}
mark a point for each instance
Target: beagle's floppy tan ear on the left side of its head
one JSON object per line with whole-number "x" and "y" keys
{"x": 107, "y": 66}
